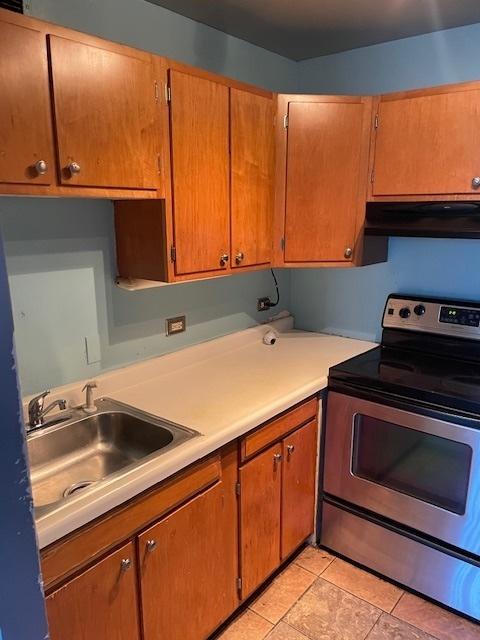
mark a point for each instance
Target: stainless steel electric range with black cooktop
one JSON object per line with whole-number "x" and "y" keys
{"x": 401, "y": 479}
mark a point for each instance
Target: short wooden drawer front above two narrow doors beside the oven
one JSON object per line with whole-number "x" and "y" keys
{"x": 278, "y": 428}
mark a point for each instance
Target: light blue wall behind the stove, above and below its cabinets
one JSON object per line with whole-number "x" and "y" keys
{"x": 350, "y": 301}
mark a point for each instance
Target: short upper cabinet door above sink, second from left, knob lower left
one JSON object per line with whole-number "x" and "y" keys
{"x": 105, "y": 116}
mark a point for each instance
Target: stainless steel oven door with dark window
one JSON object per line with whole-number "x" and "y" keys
{"x": 416, "y": 470}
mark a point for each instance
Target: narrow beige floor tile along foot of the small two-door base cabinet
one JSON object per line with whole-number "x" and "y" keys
{"x": 282, "y": 594}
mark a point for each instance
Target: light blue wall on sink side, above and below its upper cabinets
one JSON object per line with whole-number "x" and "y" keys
{"x": 60, "y": 253}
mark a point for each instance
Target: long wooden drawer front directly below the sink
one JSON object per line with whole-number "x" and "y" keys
{"x": 76, "y": 551}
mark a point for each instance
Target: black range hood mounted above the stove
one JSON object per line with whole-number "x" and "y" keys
{"x": 460, "y": 219}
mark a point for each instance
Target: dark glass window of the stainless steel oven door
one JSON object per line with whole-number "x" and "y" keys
{"x": 421, "y": 465}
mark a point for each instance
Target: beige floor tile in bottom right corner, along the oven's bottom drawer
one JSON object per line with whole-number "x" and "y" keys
{"x": 439, "y": 622}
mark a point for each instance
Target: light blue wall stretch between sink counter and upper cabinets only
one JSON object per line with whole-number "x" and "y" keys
{"x": 61, "y": 265}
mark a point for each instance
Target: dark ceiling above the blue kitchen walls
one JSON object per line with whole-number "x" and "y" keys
{"x": 302, "y": 29}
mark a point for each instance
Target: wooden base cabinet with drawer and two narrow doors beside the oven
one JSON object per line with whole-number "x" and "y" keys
{"x": 277, "y": 492}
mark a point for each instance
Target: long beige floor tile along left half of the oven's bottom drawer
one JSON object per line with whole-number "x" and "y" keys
{"x": 362, "y": 584}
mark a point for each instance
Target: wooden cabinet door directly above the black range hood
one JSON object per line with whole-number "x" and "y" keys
{"x": 427, "y": 142}
